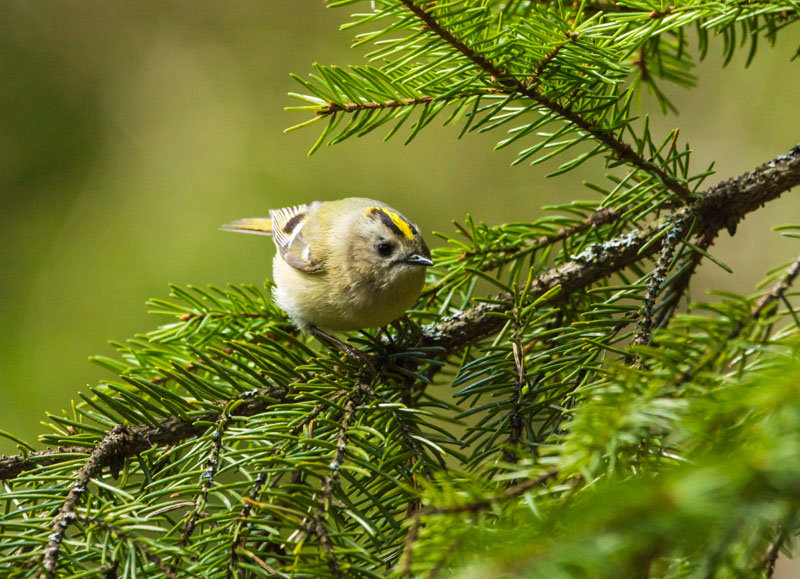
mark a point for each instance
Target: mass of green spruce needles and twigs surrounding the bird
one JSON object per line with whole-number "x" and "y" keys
{"x": 595, "y": 428}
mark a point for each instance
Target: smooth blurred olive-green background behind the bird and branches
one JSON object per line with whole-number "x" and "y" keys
{"x": 129, "y": 131}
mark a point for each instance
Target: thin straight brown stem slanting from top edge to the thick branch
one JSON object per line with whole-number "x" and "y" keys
{"x": 622, "y": 150}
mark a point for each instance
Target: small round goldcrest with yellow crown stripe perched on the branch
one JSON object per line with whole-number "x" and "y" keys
{"x": 343, "y": 265}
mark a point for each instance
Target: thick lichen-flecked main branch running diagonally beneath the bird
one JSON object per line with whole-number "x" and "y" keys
{"x": 720, "y": 207}
